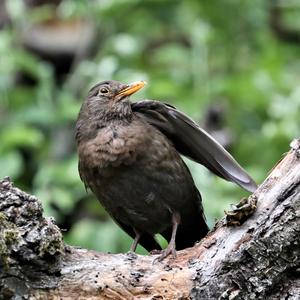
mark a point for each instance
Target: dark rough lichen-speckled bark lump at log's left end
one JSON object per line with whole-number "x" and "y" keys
{"x": 28, "y": 240}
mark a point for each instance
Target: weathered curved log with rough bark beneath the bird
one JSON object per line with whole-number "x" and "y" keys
{"x": 258, "y": 260}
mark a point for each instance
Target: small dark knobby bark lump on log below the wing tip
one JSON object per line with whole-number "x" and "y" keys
{"x": 240, "y": 213}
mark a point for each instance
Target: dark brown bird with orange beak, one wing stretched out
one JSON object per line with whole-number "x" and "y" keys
{"x": 129, "y": 156}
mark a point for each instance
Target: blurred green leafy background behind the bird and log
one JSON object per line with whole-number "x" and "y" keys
{"x": 234, "y": 66}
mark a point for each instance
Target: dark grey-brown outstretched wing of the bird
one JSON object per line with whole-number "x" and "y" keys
{"x": 192, "y": 141}
